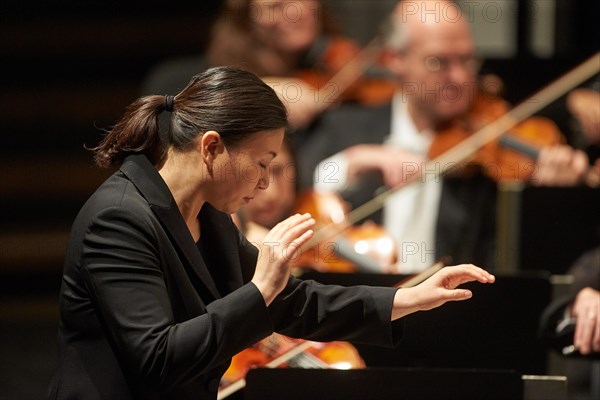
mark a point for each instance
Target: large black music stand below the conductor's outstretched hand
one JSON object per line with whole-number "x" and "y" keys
{"x": 496, "y": 329}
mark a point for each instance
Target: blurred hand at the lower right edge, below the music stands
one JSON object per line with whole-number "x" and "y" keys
{"x": 586, "y": 309}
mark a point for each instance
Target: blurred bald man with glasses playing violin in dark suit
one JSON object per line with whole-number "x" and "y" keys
{"x": 436, "y": 62}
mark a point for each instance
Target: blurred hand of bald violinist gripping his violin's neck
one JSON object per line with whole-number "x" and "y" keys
{"x": 560, "y": 165}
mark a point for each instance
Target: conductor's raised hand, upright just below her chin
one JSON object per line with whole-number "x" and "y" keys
{"x": 278, "y": 247}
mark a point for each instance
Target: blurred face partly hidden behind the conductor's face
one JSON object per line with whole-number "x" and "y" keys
{"x": 275, "y": 203}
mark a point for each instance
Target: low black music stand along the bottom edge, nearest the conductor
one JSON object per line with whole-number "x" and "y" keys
{"x": 382, "y": 384}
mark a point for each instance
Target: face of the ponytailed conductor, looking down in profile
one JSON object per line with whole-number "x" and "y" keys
{"x": 242, "y": 172}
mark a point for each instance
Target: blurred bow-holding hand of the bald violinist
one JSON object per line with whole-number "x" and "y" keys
{"x": 395, "y": 164}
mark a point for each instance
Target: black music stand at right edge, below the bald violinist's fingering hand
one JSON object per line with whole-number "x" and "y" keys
{"x": 547, "y": 228}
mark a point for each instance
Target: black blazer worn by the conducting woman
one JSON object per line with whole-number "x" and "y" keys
{"x": 141, "y": 316}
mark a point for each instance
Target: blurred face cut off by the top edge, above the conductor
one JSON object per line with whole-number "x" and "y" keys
{"x": 288, "y": 26}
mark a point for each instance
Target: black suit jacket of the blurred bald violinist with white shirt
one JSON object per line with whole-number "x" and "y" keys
{"x": 466, "y": 225}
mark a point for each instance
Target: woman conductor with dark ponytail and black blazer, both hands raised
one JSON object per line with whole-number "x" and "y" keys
{"x": 160, "y": 289}
